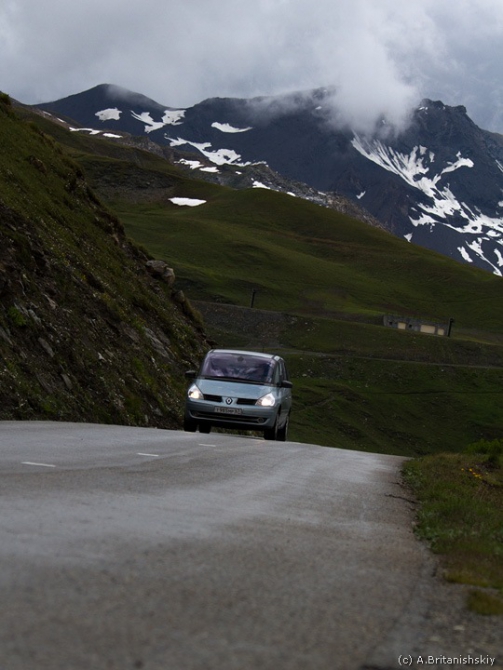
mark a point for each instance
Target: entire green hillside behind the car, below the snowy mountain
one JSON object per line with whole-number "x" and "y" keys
{"x": 357, "y": 384}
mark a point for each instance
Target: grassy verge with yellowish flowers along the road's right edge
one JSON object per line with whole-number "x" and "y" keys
{"x": 461, "y": 516}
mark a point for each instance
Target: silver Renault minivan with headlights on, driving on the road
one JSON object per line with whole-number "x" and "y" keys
{"x": 243, "y": 390}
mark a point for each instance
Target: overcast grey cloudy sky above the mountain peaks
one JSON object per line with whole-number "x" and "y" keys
{"x": 382, "y": 55}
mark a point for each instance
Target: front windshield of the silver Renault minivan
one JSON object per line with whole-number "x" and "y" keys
{"x": 244, "y": 367}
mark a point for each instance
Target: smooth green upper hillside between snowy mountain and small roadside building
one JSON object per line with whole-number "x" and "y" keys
{"x": 308, "y": 259}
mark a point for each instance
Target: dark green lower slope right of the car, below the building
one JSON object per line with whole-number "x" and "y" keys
{"x": 397, "y": 407}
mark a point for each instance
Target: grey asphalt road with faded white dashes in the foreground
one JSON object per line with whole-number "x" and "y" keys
{"x": 125, "y": 548}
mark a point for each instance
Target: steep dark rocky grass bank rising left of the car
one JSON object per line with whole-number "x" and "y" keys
{"x": 85, "y": 332}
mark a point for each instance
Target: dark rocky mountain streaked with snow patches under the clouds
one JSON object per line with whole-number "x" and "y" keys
{"x": 439, "y": 183}
